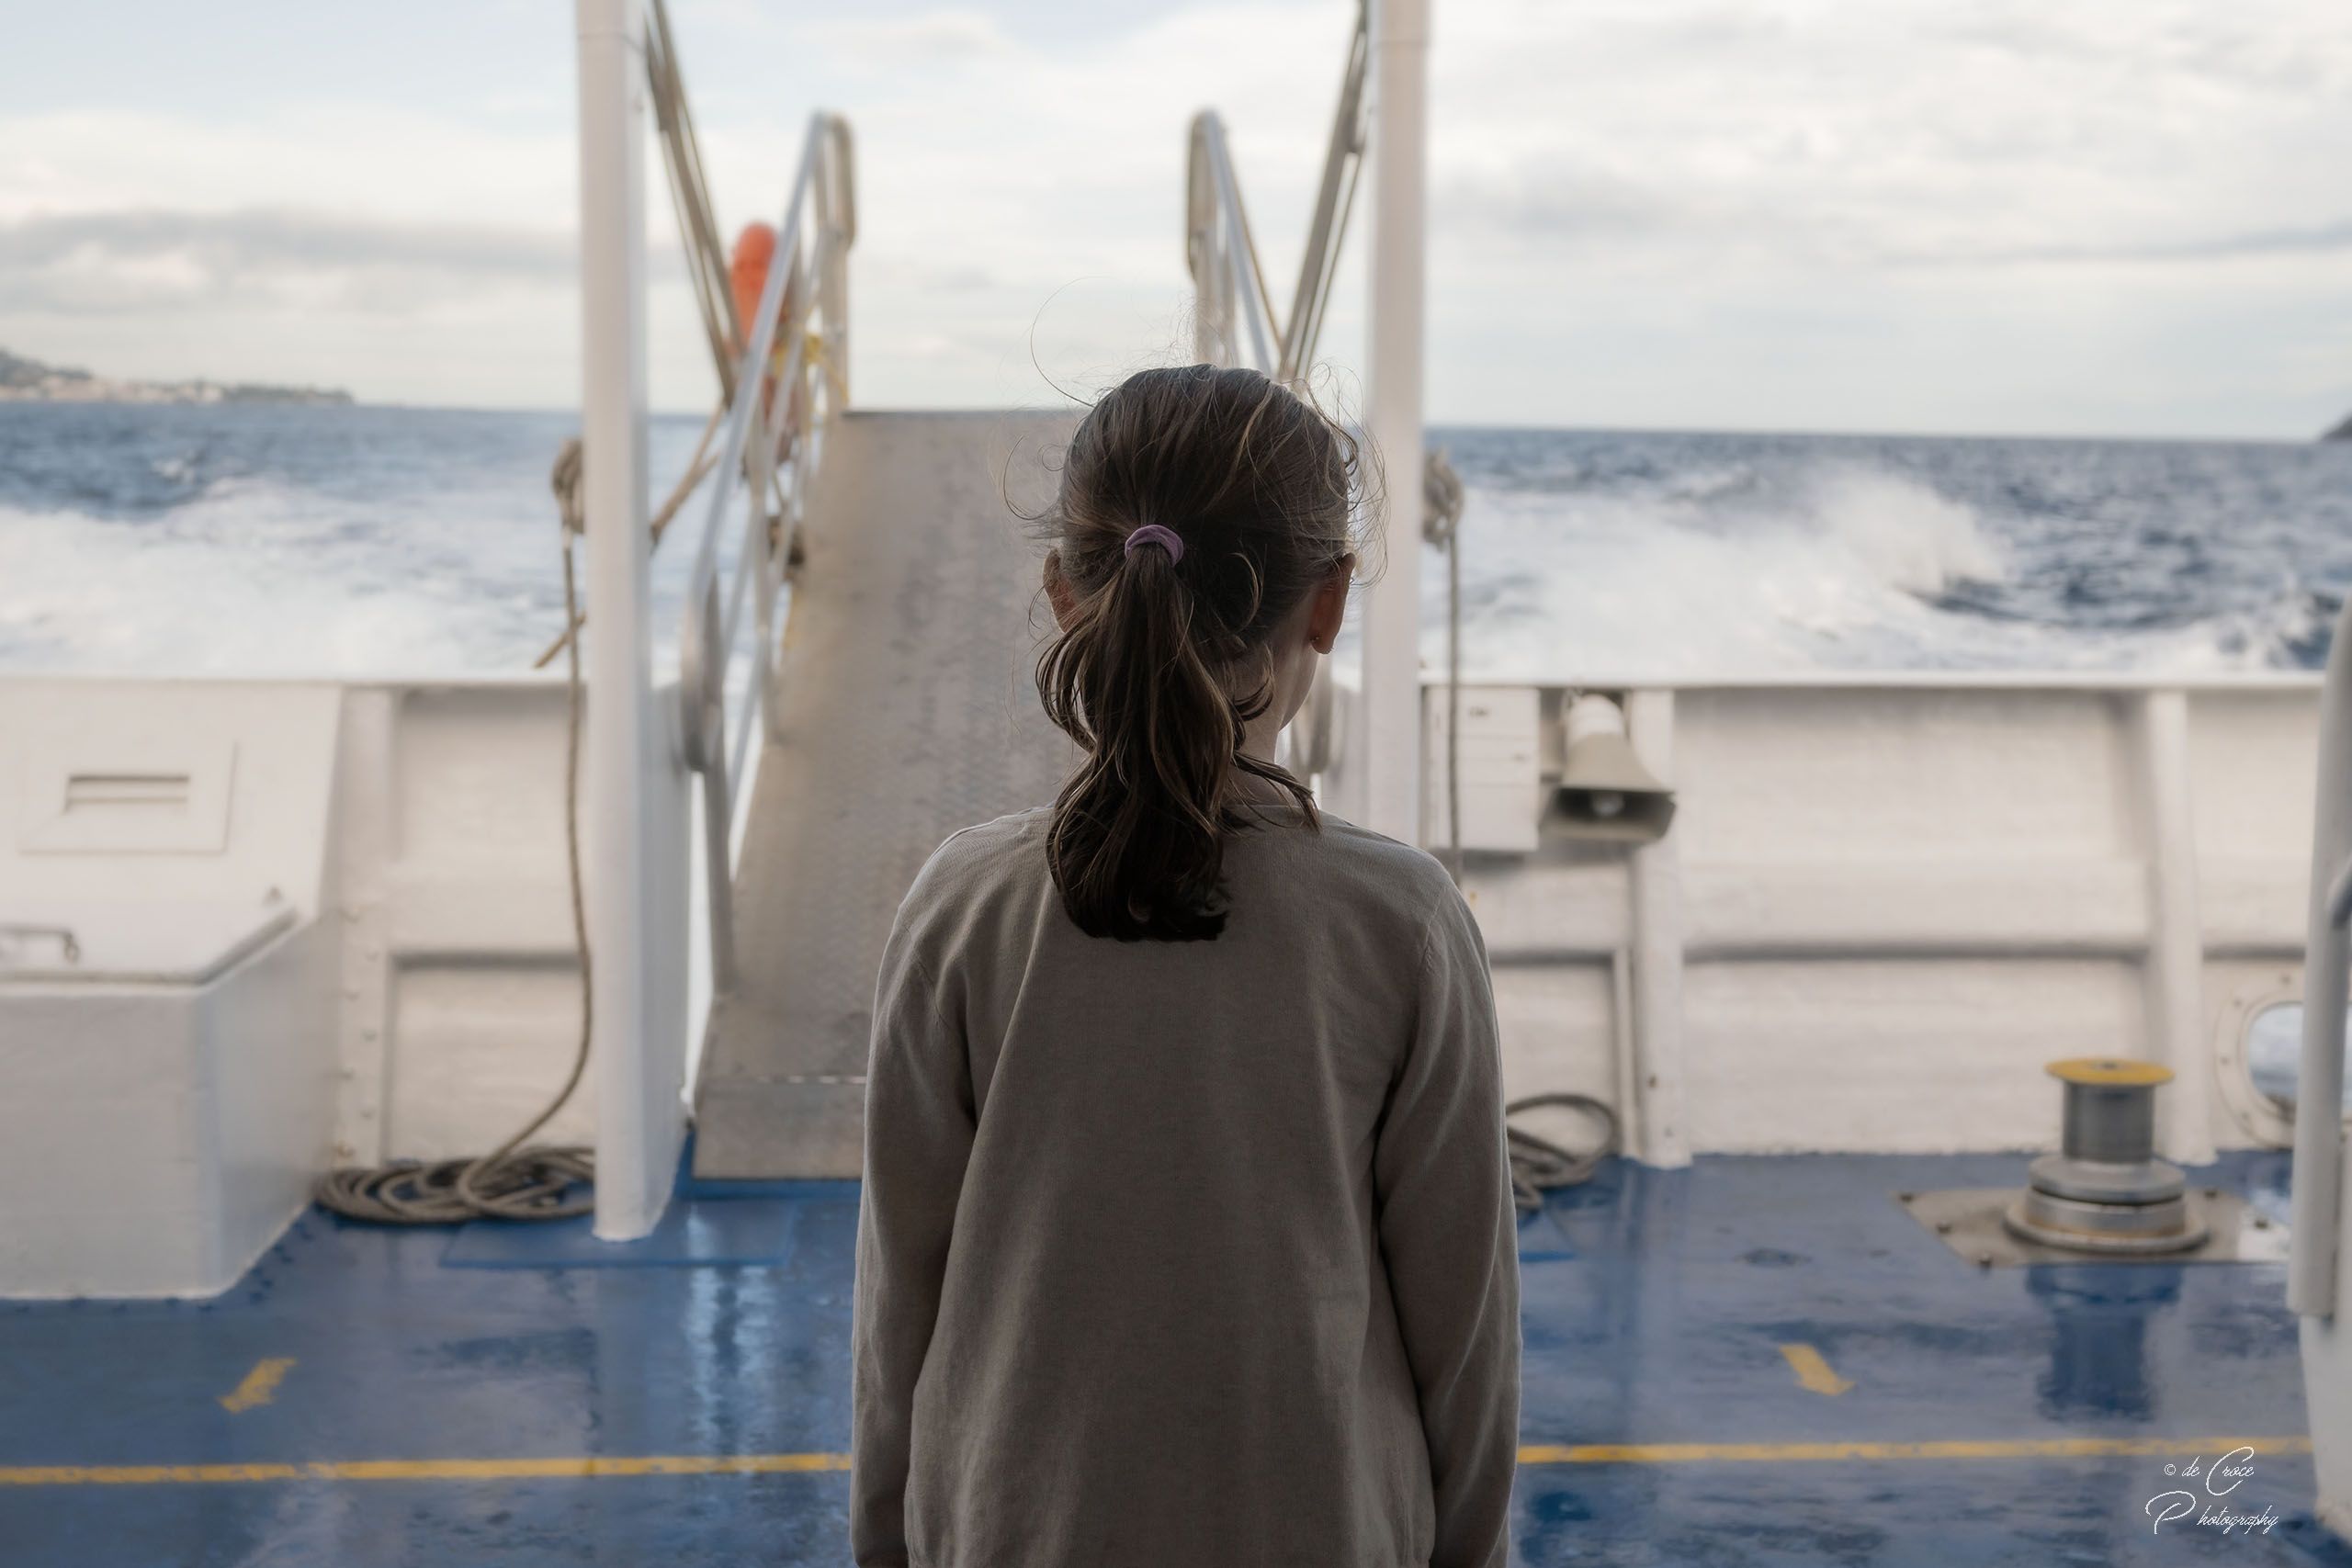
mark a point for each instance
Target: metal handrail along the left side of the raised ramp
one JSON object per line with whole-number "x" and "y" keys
{"x": 775, "y": 445}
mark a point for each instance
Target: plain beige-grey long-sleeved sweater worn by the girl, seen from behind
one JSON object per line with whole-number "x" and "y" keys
{"x": 1187, "y": 1254}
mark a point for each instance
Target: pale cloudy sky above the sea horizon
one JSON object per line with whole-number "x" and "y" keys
{"x": 1869, "y": 215}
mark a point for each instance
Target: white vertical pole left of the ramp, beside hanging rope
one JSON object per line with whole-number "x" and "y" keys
{"x": 622, "y": 732}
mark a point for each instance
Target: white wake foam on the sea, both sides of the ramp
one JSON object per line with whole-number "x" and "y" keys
{"x": 1702, "y": 570}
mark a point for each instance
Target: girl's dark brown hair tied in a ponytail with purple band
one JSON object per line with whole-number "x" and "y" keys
{"x": 1163, "y": 662}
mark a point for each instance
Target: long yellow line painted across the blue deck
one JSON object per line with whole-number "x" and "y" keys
{"x": 801, "y": 1463}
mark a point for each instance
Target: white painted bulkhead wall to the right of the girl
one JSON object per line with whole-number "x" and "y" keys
{"x": 1885, "y": 904}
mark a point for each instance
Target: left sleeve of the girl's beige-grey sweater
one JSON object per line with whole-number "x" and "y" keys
{"x": 918, "y": 1139}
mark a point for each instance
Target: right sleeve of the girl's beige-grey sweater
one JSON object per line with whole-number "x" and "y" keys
{"x": 1452, "y": 1242}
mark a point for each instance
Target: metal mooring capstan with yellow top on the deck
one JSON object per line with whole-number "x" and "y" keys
{"x": 2106, "y": 1191}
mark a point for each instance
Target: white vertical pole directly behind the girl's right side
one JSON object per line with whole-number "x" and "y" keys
{"x": 1387, "y": 746}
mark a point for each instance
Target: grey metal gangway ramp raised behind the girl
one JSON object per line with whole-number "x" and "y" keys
{"x": 907, "y": 711}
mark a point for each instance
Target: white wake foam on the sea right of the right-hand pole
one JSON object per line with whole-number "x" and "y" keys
{"x": 1711, "y": 575}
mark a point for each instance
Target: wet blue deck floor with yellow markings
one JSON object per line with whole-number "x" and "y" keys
{"x": 1728, "y": 1365}
